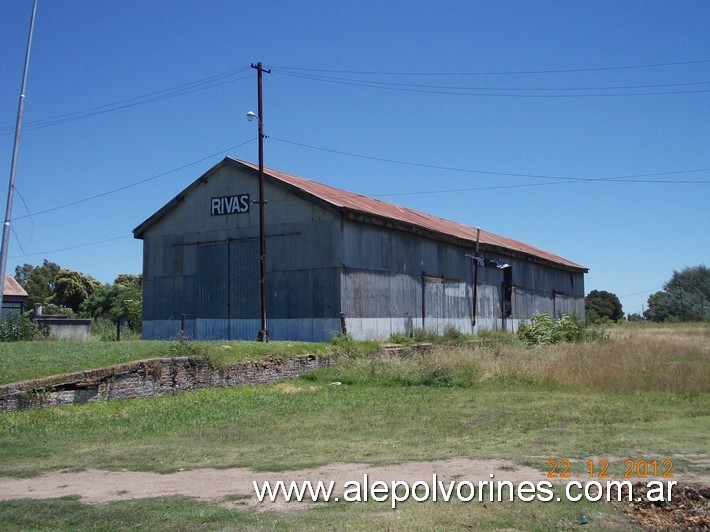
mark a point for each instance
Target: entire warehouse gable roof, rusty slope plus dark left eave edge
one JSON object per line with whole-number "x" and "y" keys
{"x": 359, "y": 206}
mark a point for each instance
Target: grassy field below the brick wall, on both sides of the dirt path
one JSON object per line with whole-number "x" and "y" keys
{"x": 642, "y": 393}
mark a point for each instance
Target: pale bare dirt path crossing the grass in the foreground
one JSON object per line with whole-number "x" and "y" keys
{"x": 97, "y": 487}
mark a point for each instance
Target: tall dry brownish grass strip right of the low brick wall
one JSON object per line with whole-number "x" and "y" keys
{"x": 630, "y": 359}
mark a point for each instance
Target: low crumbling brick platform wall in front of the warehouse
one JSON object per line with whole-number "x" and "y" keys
{"x": 149, "y": 378}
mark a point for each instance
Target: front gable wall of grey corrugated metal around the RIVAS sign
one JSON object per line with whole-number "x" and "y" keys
{"x": 207, "y": 267}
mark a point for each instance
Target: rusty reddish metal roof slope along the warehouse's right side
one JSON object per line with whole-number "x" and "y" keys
{"x": 371, "y": 206}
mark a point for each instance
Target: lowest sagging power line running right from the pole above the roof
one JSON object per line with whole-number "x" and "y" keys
{"x": 624, "y": 178}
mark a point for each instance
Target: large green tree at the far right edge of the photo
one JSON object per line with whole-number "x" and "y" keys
{"x": 685, "y": 297}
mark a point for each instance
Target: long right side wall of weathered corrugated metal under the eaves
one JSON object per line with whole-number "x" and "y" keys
{"x": 387, "y": 285}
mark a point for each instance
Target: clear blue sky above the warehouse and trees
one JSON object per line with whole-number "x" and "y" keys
{"x": 527, "y": 119}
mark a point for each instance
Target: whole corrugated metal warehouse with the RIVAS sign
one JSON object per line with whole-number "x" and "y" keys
{"x": 332, "y": 258}
